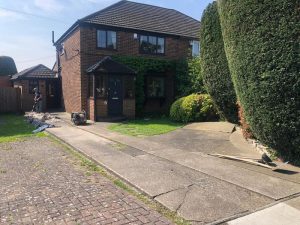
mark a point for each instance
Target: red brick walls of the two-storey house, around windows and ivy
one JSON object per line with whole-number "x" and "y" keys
{"x": 81, "y": 52}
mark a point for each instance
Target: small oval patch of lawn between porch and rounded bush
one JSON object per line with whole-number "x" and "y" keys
{"x": 145, "y": 127}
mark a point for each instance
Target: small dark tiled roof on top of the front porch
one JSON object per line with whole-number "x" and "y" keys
{"x": 107, "y": 65}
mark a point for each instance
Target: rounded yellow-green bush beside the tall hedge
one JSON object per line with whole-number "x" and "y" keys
{"x": 195, "y": 107}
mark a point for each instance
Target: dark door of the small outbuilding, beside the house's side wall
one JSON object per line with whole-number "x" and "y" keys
{"x": 53, "y": 94}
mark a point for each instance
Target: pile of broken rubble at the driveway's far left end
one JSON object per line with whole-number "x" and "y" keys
{"x": 41, "y": 121}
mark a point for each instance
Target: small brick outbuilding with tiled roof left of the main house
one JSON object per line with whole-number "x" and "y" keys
{"x": 43, "y": 78}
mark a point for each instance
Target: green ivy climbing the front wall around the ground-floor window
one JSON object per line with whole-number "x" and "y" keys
{"x": 187, "y": 75}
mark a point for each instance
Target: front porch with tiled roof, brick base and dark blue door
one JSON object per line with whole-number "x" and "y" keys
{"x": 111, "y": 90}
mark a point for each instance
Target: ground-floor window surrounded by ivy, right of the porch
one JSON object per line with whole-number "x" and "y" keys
{"x": 155, "y": 87}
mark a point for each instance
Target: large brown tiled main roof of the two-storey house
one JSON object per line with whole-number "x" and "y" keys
{"x": 139, "y": 16}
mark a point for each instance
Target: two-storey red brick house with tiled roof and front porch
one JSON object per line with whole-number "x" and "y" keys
{"x": 93, "y": 81}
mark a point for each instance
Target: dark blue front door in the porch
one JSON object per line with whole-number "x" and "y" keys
{"x": 115, "y": 96}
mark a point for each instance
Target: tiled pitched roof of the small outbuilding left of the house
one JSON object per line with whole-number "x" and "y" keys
{"x": 39, "y": 71}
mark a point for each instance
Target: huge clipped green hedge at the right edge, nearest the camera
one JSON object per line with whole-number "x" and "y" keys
{"x": 261, "y": 41}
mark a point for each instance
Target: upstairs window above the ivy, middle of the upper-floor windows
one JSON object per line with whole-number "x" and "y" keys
{"x": 152, "y": 44}
